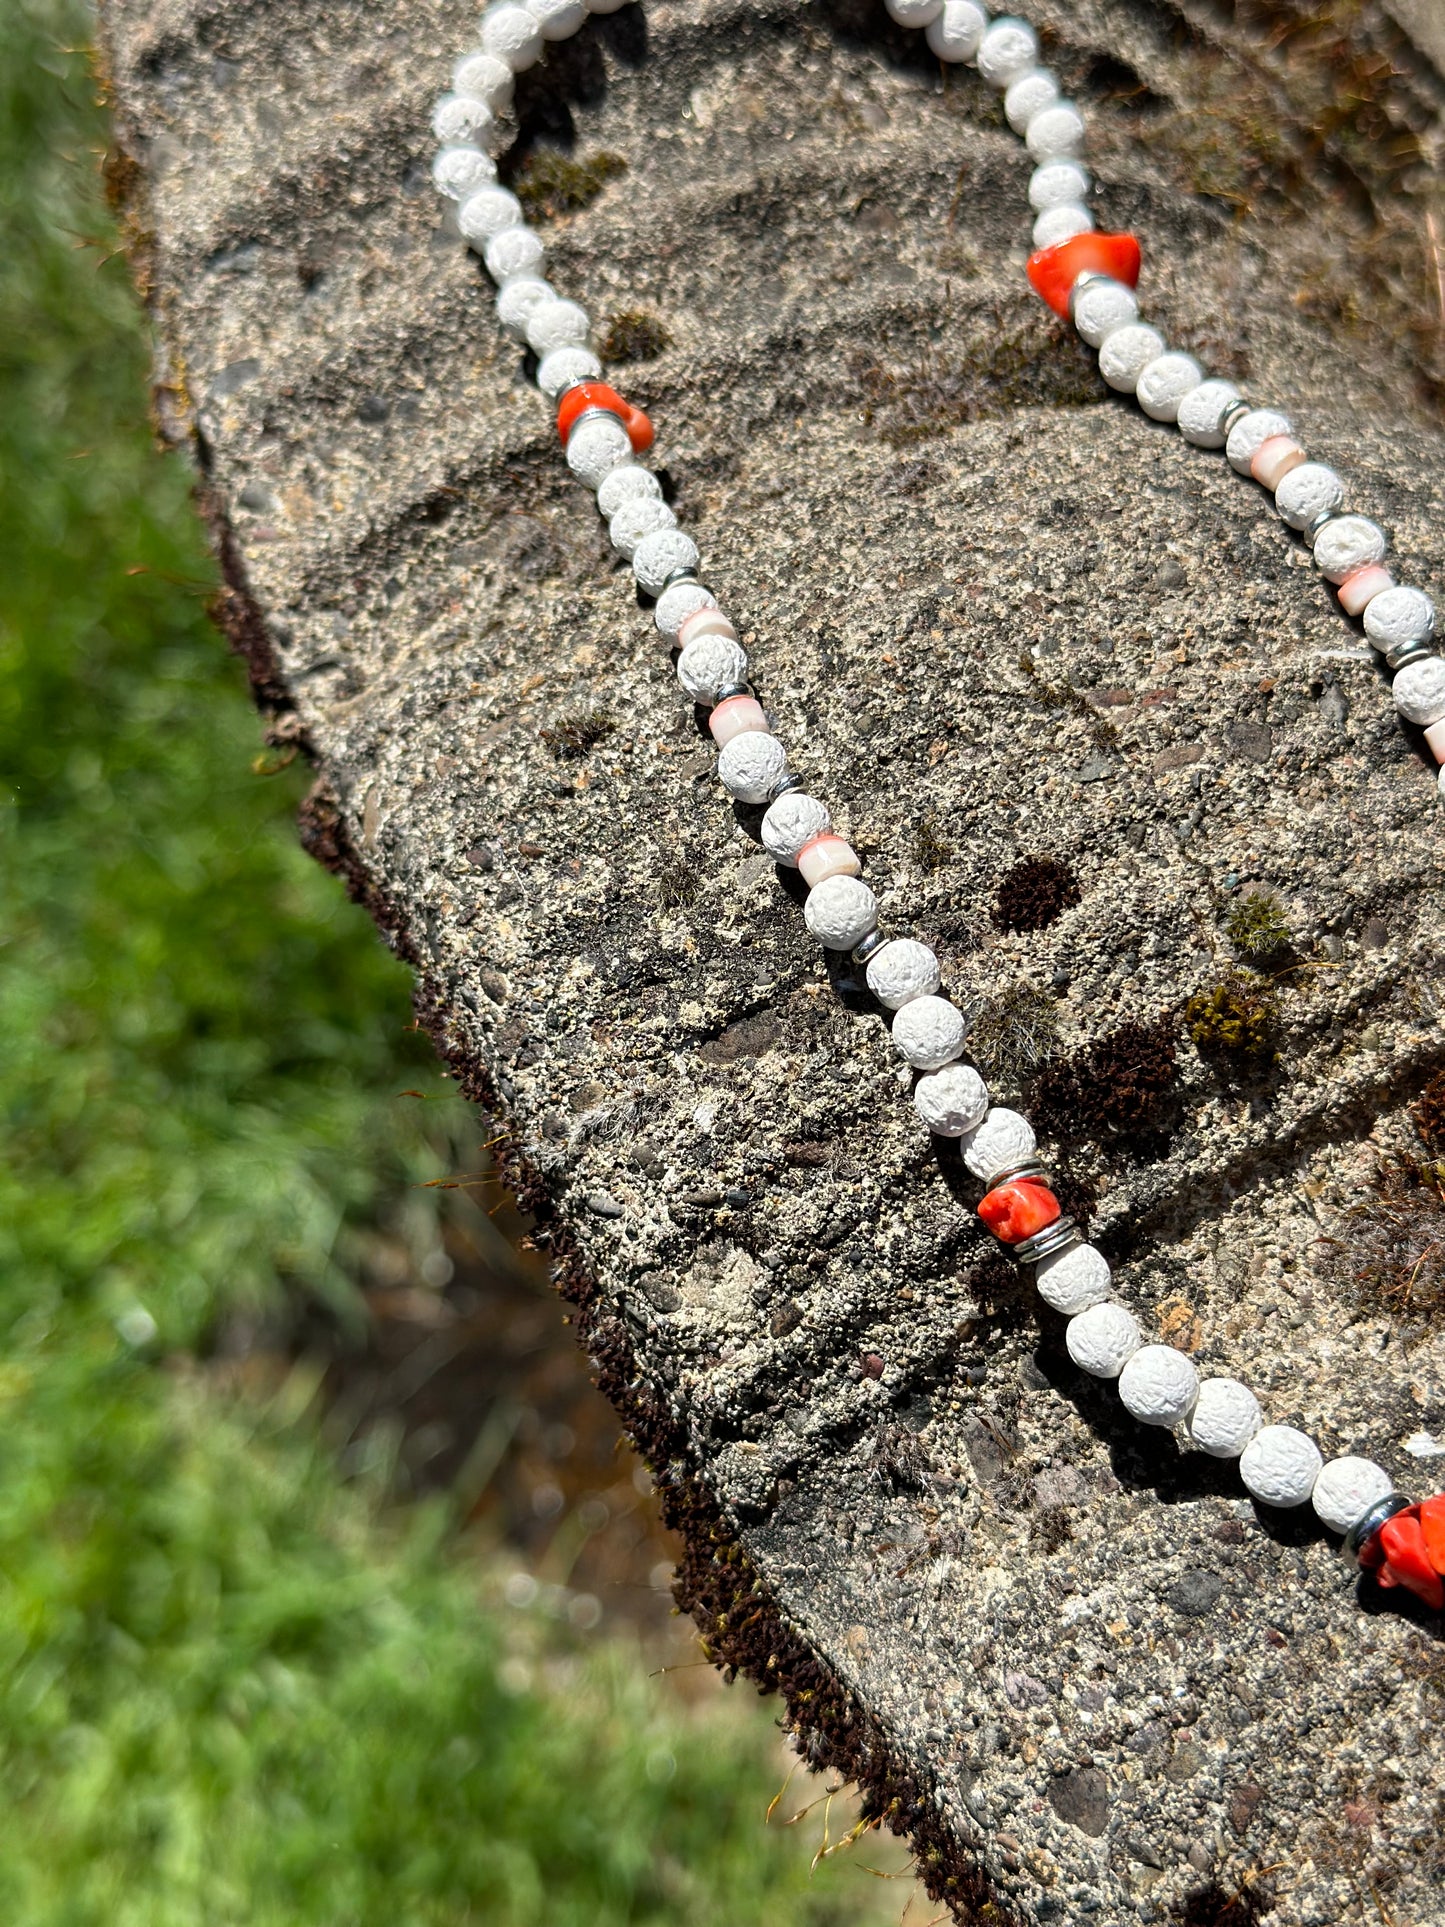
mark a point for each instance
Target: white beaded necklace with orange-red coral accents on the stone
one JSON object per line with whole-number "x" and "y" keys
{"x": 1088, "y": 278}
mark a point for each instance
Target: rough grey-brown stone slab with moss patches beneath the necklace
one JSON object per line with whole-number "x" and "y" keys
{"x": 1049, "y": 629}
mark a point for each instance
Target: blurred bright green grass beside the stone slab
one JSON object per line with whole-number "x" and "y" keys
{"x": 232, "y": 1687}
